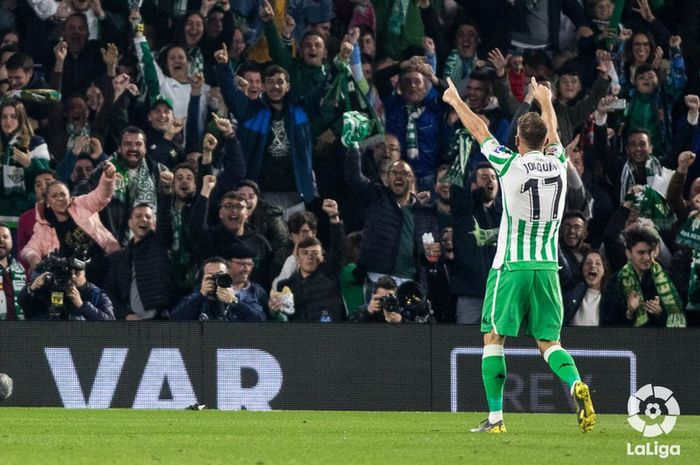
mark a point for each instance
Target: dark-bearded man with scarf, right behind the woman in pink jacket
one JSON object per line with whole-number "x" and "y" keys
{"x": 137, "y": 182}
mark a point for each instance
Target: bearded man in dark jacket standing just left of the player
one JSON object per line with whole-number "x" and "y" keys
{"x": 476, "y": 216}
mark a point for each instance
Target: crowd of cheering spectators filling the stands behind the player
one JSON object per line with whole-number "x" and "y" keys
{"x": 189, "y": 159}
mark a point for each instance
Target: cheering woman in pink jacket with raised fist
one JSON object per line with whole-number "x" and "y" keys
{"x": 72, "y": 225}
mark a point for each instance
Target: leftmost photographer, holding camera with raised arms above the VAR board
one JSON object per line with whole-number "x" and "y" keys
{"x": 62, "y": 292}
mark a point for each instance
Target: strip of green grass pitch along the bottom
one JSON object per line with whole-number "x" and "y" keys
{"x": 76, "y": 437}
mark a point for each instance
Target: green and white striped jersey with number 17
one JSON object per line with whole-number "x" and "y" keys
{"x": 533, "y": 191}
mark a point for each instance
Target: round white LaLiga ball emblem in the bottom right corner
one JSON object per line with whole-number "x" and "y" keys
{"x": 658, "y": 405}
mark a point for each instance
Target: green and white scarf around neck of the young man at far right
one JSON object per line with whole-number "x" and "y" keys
{"x": 670, "y": 300}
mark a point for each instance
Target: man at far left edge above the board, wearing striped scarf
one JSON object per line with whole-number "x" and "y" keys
{"x": 12, "y": 278}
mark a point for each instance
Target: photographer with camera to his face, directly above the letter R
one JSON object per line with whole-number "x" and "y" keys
{"x": 216, "y": 298}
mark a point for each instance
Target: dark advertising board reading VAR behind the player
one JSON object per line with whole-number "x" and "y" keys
{"x": 326, "y": 366}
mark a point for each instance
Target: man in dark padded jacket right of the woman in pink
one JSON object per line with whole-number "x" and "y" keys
{"x": 139, "y": 278}
